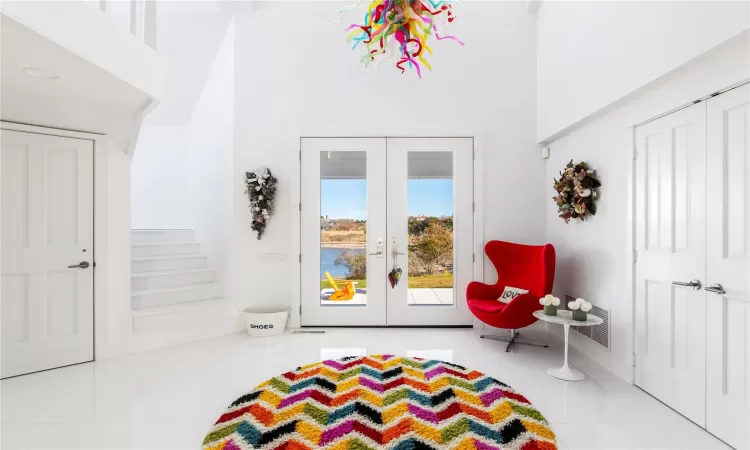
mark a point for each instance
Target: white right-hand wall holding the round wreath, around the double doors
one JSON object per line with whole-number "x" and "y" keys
{"x": 593, "y": 256}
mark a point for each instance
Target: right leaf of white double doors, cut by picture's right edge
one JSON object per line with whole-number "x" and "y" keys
{"x": 728, "y": 374}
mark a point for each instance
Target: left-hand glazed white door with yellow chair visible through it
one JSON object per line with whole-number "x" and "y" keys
{"x": 343, "y": 219}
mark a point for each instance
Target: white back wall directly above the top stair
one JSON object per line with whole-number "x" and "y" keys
{"x": 160, "y": 179}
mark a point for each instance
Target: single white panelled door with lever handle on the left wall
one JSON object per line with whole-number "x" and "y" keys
{"x": 47, "y": 225}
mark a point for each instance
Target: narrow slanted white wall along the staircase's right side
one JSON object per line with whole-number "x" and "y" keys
{"x": 210, "y": 141}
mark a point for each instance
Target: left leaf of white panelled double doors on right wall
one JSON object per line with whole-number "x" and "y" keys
{"x": 671, "y": 248}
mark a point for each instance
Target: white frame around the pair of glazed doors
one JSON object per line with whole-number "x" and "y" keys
{"x": 296, "y": 228}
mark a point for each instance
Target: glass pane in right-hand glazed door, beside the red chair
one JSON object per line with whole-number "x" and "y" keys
{"x": 430, "y": 228}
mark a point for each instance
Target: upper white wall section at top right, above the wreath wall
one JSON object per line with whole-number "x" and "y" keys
{"x": 591, "y": 54}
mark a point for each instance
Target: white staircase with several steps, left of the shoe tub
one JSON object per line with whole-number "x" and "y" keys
{"x": 168, "y": 269}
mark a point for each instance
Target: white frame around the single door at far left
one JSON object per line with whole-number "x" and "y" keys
{"x": 100, "y": 253}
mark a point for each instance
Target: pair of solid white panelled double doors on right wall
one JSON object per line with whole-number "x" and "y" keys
{"x": 693, "y": 247}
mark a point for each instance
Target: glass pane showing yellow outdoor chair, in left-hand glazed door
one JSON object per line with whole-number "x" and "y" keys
{"x": 343, "y": 228}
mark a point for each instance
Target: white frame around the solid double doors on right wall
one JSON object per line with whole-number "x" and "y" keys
{"x": 630, "y": 241}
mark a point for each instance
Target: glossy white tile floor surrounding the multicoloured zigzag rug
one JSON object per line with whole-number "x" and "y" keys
{"x": 168, "y": 399}
